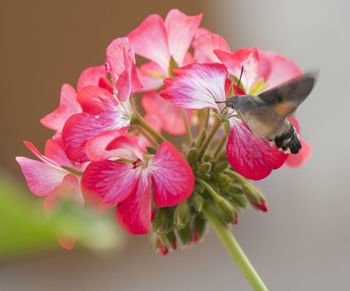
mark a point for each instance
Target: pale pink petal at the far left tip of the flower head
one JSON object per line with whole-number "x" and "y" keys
{"x": 41, "y": 178}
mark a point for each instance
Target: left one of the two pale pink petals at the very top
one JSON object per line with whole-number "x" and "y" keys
{"x": 150, "y": 40}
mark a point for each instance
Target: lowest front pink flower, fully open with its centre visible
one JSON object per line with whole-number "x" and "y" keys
{"x": 126, "y": 184}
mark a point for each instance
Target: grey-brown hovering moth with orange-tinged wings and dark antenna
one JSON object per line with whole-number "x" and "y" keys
{"x": 266, "y": 114}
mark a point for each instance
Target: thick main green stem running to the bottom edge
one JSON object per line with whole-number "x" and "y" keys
{"x": 232, "y": 246}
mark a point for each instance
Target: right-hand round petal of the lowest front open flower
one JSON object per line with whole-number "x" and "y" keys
{"x": 172, "y": 178}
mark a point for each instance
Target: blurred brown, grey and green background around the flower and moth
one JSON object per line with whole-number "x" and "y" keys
{"x": 302, "y": 243}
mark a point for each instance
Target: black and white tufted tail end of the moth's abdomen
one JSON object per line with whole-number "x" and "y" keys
{"x": 288, "y": 141}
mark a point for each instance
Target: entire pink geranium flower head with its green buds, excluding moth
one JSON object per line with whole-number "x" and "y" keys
{"x": 109, "y": 152}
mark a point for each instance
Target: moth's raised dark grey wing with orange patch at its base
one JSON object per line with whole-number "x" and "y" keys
{"x": 286, "y": 98}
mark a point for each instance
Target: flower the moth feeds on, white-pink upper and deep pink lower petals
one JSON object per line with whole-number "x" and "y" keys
{"x": 200, "y": 86}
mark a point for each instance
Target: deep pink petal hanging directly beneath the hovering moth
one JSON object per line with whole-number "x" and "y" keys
{"x": 249, "y": 155}
